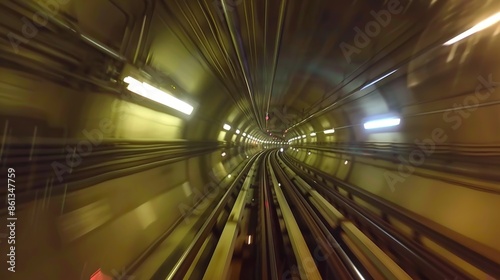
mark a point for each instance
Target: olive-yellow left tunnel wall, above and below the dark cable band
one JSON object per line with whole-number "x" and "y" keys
{"x": 105, "y": 225}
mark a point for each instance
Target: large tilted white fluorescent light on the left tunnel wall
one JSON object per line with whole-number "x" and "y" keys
{"x": 162, "y": 97}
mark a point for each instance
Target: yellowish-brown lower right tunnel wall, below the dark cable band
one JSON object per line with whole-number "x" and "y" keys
{"x": 446, "y": 202}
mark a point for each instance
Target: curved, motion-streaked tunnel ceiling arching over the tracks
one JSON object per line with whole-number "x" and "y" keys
{"x": 280, "y": 70}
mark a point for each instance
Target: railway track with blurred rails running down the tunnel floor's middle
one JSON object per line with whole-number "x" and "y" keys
{"x": 278, "y": 220}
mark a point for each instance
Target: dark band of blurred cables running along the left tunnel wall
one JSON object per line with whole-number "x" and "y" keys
{"x": 102, "y": 163}
